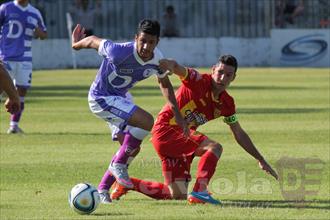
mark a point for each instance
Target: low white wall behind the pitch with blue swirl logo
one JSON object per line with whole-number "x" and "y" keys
{"x": 284, "y": 48}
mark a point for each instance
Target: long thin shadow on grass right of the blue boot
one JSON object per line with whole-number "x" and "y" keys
{"x": 306, "y": 204}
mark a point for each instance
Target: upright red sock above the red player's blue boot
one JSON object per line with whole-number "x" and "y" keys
{"x": 205, "y": 171}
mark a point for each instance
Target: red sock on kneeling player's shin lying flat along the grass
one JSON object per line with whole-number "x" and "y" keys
{"x": 154, "y": 190}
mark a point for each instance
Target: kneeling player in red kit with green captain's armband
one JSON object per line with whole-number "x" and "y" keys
{"x": 201, "y": 98}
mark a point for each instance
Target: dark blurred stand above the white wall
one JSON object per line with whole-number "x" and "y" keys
{"x": 117, "y": 19}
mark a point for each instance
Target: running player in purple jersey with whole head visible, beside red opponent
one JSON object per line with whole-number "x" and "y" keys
{"x": 125, "y": 64}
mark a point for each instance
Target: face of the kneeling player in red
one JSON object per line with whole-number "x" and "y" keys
{"x": 223, "y": 75}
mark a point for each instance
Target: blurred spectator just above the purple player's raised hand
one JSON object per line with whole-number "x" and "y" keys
{"x": 83, "y": 13}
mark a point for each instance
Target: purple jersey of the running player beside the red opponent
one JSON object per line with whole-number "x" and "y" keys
{"x": 121, "y": 69}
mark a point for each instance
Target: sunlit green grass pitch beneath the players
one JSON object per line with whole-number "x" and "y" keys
{"x": 285, "y": 111}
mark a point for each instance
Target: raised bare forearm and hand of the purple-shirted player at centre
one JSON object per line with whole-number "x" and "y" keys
{"x": 80, "y": 41}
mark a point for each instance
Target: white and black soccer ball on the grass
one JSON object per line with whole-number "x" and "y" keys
{"x": 84, "y": 198}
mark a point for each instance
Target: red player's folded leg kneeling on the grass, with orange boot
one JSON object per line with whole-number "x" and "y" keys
{"x": 176, "y": 155}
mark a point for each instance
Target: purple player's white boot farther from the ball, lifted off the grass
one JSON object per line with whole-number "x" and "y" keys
{"x": 120, "y": 173}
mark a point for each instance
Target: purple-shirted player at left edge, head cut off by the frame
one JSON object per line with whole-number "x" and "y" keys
{"x": 19, "y": 22}
